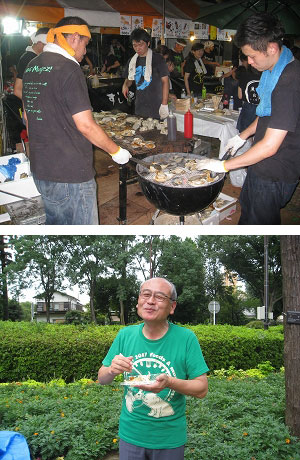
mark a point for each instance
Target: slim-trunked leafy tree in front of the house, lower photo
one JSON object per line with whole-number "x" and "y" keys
{"x": 40, "y": 260}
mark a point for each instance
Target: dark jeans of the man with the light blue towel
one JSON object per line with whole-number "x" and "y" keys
{"x": 261, "y": 200}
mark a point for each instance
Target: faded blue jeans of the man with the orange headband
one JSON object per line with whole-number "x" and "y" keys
{"x": 69, "y": 204}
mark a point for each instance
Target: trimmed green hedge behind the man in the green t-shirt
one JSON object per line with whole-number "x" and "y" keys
{"x": 45, "y": 351}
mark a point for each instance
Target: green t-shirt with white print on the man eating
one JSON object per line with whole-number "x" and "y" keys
{"x": 157, "y": 421}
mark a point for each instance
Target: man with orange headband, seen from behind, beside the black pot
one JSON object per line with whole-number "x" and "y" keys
{"x": 61, "y": 128}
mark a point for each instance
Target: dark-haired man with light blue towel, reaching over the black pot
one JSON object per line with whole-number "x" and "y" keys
{"x": 273, "y": 160}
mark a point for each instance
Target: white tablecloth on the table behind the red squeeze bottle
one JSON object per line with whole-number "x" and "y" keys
{"x": 207, "y": 124}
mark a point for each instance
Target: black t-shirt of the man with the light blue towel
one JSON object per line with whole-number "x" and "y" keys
{"x": 284, "y": 166}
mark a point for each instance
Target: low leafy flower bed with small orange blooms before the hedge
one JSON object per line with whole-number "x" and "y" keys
{"x": 240, "y": 419}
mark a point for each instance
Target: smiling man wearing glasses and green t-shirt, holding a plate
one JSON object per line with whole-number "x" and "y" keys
{"x": 152, "y": 421}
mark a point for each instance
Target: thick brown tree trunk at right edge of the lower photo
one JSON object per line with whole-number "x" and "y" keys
{"x": 290, "y": 256}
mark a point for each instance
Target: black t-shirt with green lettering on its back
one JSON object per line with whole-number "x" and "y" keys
{"x": 54, "y": 89}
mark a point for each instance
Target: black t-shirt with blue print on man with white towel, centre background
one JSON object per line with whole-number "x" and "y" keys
{"x": 149, "y": 94}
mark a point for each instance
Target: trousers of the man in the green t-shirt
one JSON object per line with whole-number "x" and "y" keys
{"x": 131, "y": 452}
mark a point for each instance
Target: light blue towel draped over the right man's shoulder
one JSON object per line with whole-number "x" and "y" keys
{"x": 269, "y": 80}
